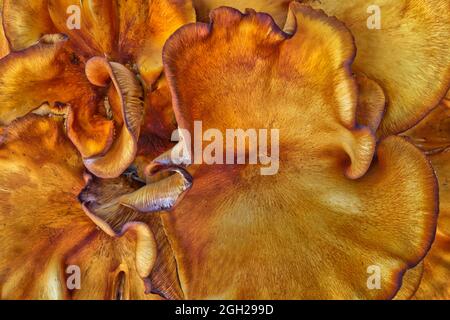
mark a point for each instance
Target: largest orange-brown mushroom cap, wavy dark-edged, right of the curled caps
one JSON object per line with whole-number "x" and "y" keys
{"x": 312, "y": 230}
